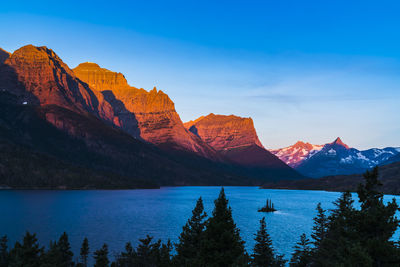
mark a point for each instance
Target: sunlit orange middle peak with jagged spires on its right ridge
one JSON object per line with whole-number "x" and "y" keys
{"x": 154, "y": 112}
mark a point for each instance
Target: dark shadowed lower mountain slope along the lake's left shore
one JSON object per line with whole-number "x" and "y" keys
{"x": 75, "y": 142}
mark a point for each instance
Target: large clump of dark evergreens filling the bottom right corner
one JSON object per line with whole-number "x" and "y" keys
{"x": 360, "y": 237}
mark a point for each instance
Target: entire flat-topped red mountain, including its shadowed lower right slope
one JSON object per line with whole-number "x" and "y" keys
{"x": 236, "y": 139}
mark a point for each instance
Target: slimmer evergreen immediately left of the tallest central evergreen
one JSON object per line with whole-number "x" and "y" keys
{"x": 188, "y": 248}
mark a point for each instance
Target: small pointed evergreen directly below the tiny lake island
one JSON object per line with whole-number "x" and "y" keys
{"x": 263, "y": 252}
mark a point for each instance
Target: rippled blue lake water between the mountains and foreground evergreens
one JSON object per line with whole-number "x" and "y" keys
{"x": 117, "y": 216}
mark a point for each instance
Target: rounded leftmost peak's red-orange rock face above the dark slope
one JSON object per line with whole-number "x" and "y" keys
{"x": 39, "y": 77}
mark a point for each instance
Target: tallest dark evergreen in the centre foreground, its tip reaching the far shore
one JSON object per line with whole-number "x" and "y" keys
{"x": 221, "y": 244}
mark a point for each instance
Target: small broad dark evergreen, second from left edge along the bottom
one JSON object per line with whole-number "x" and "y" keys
{"x": 27, "y": 254}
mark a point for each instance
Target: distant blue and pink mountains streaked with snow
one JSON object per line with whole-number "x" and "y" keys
{"x": 335, "y": 158}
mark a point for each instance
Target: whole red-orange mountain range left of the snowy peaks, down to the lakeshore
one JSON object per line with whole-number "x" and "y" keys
{"x": 88, "y": 128}
